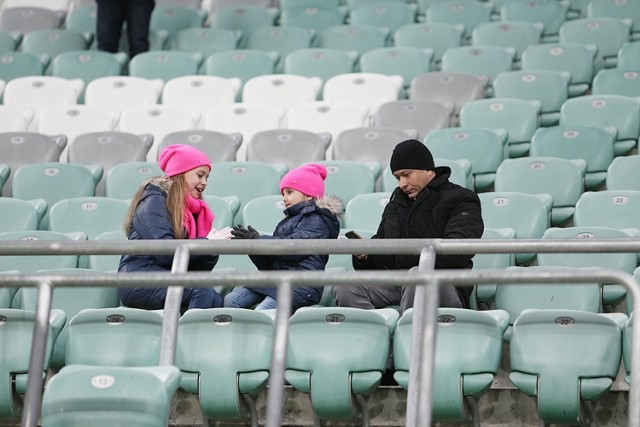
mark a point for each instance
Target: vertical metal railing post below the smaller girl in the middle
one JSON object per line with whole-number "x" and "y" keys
{"x": 275, "y": 396}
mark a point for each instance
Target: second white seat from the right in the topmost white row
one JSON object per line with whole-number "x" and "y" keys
{"x": 281, "y": 90}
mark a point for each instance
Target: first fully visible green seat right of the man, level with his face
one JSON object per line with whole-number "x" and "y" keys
{"x": 561, "y": 178}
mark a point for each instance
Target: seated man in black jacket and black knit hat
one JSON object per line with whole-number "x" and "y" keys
{"x": 425, "y": 205}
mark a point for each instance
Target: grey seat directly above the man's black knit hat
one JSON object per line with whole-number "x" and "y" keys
{"x": 419, "y": 117}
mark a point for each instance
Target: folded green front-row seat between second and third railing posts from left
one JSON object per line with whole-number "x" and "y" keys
{"x": 226, "y": 384}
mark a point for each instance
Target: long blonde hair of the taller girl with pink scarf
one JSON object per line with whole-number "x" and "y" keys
{"x": 175, "y": 189}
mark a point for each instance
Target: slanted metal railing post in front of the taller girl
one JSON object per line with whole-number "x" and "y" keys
{"x": 172, "y": 304}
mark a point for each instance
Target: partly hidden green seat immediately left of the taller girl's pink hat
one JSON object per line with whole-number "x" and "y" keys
{"x": 125, "y": 179}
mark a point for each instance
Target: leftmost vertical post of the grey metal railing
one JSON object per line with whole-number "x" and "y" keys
{"x": 33, "y": 395}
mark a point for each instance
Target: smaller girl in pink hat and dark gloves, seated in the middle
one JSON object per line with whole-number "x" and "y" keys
{"x": 308, "y": 215}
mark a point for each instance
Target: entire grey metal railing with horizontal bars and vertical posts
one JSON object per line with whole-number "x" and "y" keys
{"x": 426, "y": 279}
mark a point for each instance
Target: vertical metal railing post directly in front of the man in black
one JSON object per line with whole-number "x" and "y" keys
{"x": 422, "y": 342}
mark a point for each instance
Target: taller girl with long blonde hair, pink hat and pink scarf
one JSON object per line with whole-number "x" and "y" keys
{"x": 171, "y": 207}
